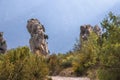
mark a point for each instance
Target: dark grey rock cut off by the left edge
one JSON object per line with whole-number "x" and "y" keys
{"x": 3, "y": 45}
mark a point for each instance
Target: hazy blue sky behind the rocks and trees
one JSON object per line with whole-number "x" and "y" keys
{"x": 61, "y": 18}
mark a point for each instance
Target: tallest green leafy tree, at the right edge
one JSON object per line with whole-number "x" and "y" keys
{"x": 110, "y": 52}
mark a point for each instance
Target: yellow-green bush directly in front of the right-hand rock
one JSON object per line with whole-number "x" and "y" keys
{"x": 87, "y": 56}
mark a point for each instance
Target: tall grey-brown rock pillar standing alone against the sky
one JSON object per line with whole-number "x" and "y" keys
{"x": 38, "y": 43}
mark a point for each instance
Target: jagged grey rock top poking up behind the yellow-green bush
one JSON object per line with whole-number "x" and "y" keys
{"x": 86, "y": 29}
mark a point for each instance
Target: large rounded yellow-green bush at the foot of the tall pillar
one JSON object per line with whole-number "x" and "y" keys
{"x": 20, "y": 64}
